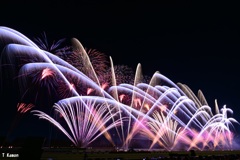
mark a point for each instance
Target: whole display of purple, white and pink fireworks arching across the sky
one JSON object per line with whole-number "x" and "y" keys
{"x": 90, "y": 101}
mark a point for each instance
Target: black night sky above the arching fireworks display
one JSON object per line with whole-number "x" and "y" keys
{"x": 194, "y": 43}
